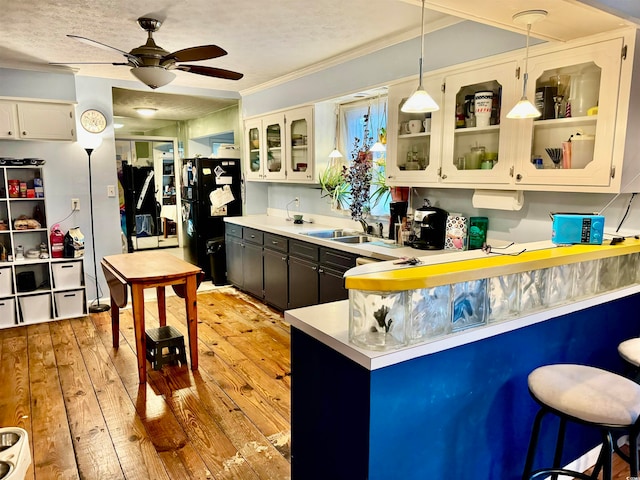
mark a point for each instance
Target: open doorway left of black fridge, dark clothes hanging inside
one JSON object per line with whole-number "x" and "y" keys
{"x": 148, "y": 193}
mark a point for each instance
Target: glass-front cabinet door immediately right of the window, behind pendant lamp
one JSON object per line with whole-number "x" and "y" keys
{"x": 413, "y": 147}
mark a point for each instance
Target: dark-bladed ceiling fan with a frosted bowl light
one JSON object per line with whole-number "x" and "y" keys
{"x": 153, "y": 65}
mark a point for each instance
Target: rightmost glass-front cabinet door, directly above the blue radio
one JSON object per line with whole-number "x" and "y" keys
{"x": 577, "y": 94}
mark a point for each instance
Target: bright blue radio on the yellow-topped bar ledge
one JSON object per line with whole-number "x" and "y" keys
{"x": 572, "y": 228}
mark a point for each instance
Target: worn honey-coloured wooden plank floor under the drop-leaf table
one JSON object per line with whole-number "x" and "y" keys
{"x": 88, "y": 417}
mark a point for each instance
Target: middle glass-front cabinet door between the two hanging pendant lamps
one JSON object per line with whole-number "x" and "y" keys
{"x": 479, "y": 144}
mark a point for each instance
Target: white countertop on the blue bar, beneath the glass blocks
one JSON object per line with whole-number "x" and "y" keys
{"x": 329, "y": 324}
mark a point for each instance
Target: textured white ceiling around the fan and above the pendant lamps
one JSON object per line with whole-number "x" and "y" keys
{"x": 264, "y": 40}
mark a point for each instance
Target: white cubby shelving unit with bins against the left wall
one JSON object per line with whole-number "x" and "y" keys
{"x": 33, "y": 290}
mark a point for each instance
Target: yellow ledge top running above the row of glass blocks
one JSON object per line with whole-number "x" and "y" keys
{"x": 493, "y": 265}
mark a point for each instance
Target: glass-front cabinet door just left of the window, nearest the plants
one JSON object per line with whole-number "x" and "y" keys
{"x": 299, "y": 144}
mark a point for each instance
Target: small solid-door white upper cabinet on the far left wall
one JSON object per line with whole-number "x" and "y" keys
{"x": 37, "y": 121}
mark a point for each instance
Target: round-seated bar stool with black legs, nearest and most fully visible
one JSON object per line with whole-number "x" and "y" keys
{"x": 588, "y": 396}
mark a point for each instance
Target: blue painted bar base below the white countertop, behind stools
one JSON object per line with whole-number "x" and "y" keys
{"x": 463, "y": 412}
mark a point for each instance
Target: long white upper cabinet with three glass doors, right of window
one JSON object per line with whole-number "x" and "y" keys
{"x": 588, "y": 92}
